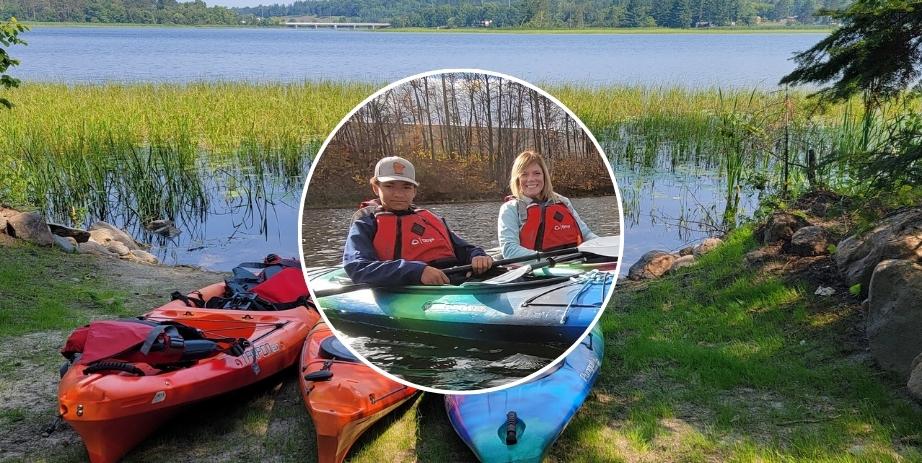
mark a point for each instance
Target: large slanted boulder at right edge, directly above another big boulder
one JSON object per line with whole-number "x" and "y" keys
{"x": 896, "y": 237}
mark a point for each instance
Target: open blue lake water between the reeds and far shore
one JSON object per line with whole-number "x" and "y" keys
{"x": 155, "y": 54}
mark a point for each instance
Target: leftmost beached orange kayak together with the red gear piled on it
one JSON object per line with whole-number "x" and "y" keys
{"x": 124, "y": 378}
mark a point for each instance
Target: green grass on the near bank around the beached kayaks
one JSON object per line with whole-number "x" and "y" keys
{"x": 720, "y": 362}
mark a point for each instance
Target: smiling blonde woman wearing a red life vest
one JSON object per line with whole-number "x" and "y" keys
{"x": 536, "y": 218}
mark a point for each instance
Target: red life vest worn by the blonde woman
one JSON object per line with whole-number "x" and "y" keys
{"x": 548, "y": 227}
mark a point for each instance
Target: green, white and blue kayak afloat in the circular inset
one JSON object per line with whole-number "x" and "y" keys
{"x": 552, "y": 305}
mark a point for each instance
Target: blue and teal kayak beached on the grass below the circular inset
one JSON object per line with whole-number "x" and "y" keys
{"x": 519, "y": 424}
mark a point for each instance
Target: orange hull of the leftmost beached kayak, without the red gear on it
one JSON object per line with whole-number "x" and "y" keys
{"x": 115, "y": 409}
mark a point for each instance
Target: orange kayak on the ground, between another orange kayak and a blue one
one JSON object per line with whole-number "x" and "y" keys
{"x": 344, "y": 396}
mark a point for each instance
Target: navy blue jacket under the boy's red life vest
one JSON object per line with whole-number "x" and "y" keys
{"x": 362, "y": 265}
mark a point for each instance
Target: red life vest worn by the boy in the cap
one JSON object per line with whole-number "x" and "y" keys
{"x": 420, "y": 236}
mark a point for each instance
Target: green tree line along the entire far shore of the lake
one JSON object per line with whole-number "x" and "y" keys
{"x": 436, "y": 13}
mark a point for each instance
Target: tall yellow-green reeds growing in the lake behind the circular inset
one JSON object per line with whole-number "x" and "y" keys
{"x": 64, "y": 142}
